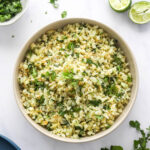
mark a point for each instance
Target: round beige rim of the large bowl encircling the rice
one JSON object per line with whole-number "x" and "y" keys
{"x": 122, "y": 116}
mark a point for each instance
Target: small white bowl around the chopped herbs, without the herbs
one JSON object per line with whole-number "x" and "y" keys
{"x": 15, "y": 18}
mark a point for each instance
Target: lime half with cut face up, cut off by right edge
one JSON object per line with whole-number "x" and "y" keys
{"x": 140, "y": 12}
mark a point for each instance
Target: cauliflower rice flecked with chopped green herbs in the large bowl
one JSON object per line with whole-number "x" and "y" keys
{"x": 75, "y": 81}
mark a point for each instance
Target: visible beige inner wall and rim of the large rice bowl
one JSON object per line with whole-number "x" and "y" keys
{"x": 130, "y": 59}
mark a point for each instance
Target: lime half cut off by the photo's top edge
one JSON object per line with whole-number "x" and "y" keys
{"x": 120, "y": 5}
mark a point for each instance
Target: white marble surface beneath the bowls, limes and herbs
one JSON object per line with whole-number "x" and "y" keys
{"x": 12, "y": 122}
